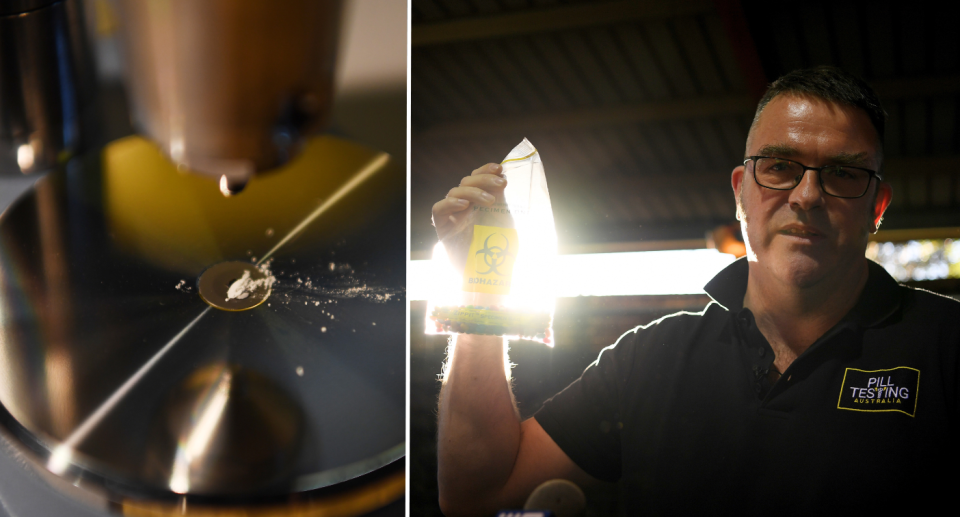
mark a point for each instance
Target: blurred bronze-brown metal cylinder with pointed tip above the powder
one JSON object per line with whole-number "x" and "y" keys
{"x": 230, "y": 87}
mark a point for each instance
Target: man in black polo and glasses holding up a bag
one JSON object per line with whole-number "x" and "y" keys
{"x": 812, "y": 382}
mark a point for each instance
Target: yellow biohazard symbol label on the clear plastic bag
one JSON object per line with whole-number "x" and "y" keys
{"x": 490, "y": 260}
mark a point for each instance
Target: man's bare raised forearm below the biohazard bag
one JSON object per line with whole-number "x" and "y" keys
{"x": 479, "y": 427}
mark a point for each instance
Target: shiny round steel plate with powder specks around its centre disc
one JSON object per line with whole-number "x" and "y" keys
{"x": 115, "y": 372}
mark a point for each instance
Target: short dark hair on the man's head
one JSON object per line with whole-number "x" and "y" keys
{"x": 831, "y": 84}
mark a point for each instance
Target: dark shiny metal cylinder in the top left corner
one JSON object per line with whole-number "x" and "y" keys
{"x": 46, "y": 84}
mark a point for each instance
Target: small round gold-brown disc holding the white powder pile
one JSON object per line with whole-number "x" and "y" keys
{"x": 215, "y": 284}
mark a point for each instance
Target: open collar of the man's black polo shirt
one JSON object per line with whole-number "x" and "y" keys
{"x": 880, "y": 297}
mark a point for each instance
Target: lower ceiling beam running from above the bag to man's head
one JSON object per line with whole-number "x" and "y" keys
{"x": 702, "y": 107}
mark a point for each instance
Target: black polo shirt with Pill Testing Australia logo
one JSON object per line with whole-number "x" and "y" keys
{"x": 681, "y": 411}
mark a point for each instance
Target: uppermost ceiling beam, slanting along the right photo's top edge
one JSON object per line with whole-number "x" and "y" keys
{"x": 552, "y": 19}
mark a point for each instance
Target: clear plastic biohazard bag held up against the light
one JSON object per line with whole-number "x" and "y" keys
{"x": 504, "y": 285}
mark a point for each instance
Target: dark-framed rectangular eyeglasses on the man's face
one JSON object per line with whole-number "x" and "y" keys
{"x": 836, "y": 180}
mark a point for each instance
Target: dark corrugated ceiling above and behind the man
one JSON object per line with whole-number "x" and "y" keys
{"x": 640, "y": 108}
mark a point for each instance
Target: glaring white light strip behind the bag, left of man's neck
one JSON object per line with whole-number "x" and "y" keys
{"x": 602, "y": 274}
